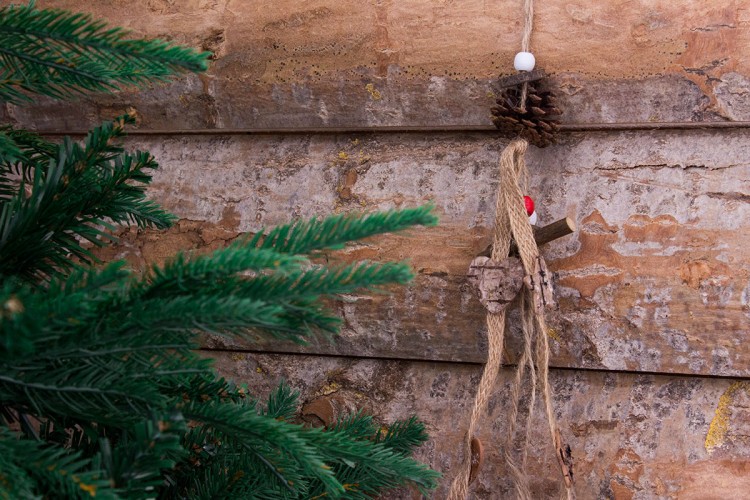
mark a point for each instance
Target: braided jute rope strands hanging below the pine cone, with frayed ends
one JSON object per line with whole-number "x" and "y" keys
{"x": 511, "y": 223}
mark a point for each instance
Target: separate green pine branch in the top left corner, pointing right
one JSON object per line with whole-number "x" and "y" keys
{"x": 62, "y": 54}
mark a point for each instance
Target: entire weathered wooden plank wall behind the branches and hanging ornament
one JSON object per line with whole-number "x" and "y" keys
{"x": 310, "y": 108}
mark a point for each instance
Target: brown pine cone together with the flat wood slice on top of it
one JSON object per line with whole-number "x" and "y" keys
{"x": 534, "y": 116}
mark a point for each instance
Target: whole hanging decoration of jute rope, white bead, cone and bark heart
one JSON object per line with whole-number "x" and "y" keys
{"x": 502, "y": 280}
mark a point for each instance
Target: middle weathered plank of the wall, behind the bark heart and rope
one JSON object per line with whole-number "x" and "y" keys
{"x": 655, "y": 279}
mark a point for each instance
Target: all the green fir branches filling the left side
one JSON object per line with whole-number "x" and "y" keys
{"x": 102, "y": 394}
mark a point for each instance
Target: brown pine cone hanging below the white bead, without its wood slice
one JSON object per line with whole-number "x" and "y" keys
{"x": 538, "y": 124}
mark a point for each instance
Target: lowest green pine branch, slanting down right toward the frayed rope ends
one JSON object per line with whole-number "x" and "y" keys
{"x": 323, "y": 457}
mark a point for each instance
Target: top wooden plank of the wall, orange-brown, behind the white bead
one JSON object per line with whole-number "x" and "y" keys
{"x": 354, "y": 63}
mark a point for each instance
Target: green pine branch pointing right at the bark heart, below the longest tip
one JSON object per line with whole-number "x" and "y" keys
{"x": 289, "y": 289}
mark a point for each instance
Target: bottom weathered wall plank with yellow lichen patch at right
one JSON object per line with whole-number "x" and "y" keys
{"x": 632, "y": 436}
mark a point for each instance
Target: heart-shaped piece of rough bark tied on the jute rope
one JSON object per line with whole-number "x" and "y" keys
{"x": 498, "y": 283}
